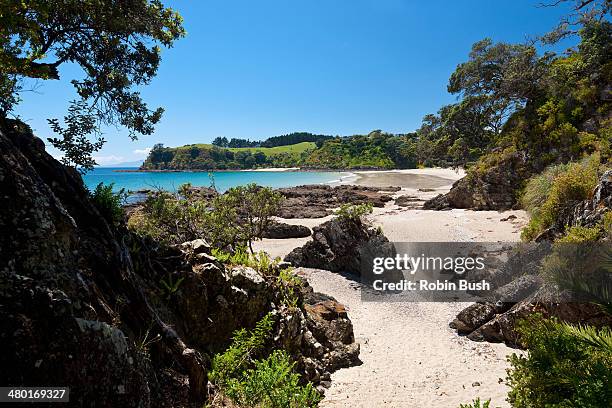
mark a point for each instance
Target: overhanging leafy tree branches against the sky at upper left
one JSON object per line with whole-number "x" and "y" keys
{"x": 116, "y": 44}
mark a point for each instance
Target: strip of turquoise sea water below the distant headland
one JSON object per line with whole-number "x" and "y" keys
{"x": 223, "y": 180}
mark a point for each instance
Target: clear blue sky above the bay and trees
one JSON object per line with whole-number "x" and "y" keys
{"x": 254, "y": 69}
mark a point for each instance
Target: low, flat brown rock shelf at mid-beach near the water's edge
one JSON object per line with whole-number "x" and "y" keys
{"x": 317, "y": 201}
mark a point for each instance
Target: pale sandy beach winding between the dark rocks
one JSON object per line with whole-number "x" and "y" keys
{"x": 410, "y": 356}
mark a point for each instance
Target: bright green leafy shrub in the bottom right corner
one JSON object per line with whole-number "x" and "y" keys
{"x": 559, "y": 370}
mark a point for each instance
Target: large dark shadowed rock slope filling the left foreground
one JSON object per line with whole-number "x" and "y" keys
{"x": 71, "y": 305}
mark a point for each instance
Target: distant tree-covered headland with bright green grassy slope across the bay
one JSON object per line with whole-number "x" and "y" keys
{"x": 377, "y": 150}
